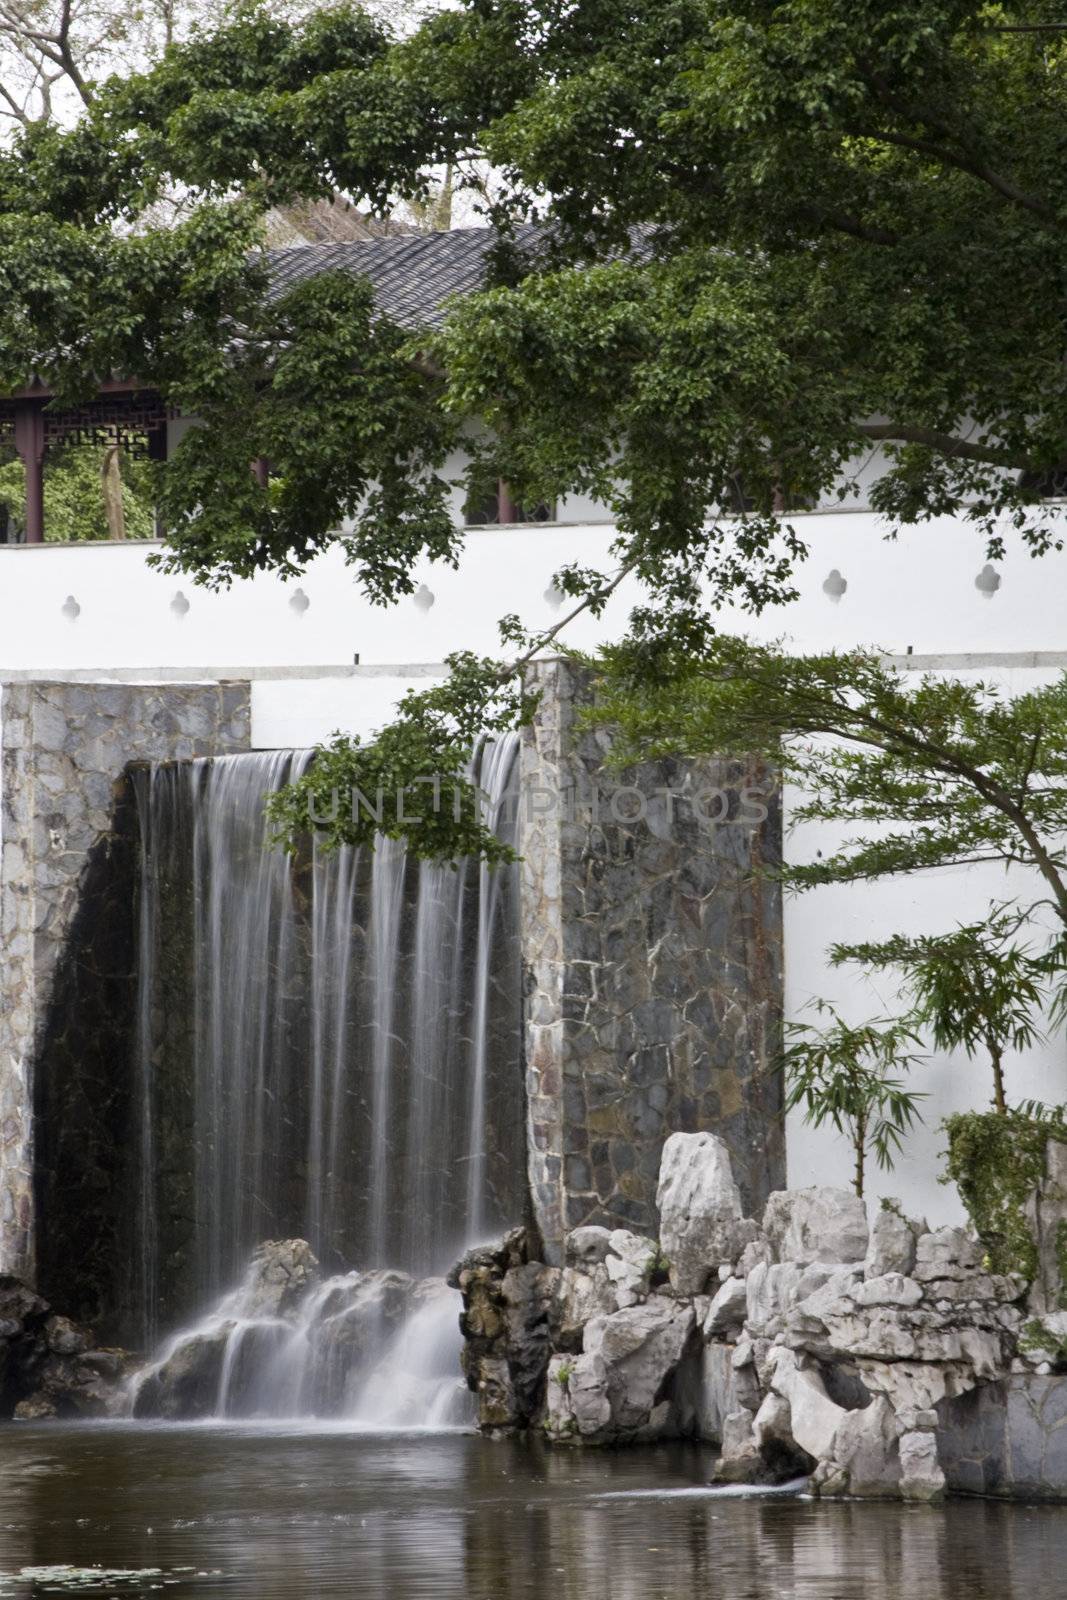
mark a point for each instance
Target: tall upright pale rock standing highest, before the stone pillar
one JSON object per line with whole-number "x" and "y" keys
{"x": 701, "y": 1223}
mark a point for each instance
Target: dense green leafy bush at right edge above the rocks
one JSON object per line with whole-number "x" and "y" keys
{"x": 996, "y": 1164}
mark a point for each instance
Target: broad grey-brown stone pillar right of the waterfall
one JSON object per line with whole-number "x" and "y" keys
{"x": 653, "y": 969}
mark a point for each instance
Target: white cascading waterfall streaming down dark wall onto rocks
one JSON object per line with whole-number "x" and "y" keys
{"x": 327, "y": 1050}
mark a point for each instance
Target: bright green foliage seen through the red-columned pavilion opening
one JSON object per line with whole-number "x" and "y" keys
{"x": 74, "y": 500}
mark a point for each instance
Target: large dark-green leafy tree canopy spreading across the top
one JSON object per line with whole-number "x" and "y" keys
{"x": 778, "y": 236}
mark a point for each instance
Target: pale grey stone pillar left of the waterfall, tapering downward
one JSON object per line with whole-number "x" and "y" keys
{"x": 65, "y": 748}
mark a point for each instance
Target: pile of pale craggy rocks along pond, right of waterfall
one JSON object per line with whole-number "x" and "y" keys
{"x": 812, "y": 1342}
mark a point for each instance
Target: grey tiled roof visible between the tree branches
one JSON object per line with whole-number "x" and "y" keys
{"x": 414, "y": 274}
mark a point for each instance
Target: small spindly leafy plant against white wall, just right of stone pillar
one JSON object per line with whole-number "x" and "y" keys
{"x": 849, "y": 1078}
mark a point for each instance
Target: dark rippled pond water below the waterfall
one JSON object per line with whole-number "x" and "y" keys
{"x": 276, "y": 1514}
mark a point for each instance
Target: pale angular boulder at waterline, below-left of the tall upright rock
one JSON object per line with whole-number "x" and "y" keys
{"x": 641, "y": 1350}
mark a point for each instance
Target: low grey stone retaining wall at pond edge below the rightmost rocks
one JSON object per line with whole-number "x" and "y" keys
{"x": 1007, "y": 1439}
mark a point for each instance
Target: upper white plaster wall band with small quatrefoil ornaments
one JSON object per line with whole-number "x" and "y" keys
{"x": 914, "y": 593}
